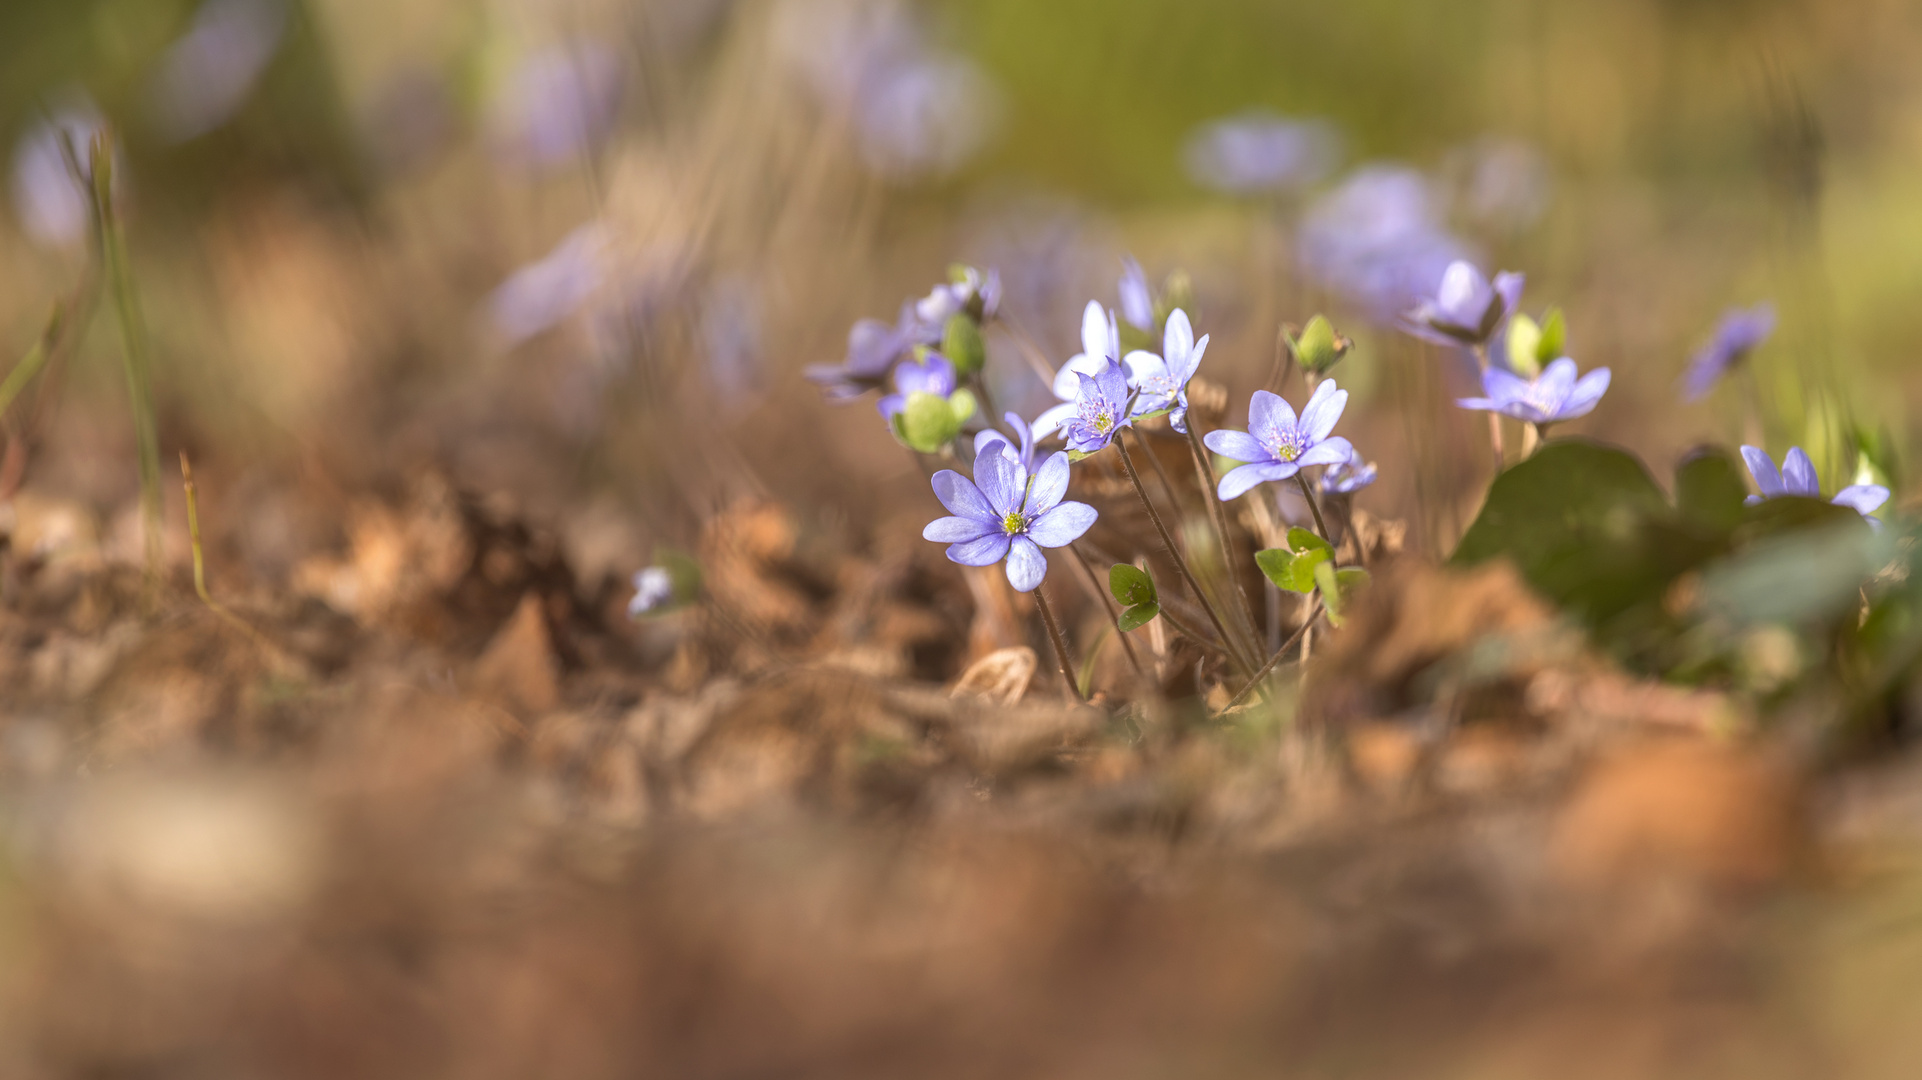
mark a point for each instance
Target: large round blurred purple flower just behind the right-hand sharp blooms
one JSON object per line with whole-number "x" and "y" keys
{"x": 1379, "y": 241}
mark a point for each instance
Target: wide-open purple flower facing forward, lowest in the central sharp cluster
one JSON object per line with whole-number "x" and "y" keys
{"x": 1008, "y": 516}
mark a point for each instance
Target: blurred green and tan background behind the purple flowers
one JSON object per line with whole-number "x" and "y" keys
{"x": 579, "y": 251}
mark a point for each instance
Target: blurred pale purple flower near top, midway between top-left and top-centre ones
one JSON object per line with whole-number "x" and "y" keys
{"x": 560, "y": 103}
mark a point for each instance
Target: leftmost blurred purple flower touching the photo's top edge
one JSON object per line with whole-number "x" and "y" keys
{"x": 209, "y": 74}
